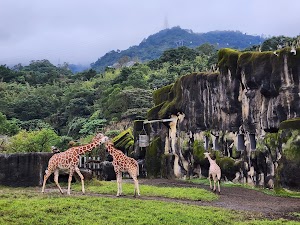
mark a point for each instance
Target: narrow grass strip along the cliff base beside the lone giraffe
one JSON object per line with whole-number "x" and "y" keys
{"x": 280, "y": 192}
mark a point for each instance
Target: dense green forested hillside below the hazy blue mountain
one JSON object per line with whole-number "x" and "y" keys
{"x": 61, "y": 106}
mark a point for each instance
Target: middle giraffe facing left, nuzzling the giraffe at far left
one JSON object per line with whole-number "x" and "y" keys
{"x": 123, "y": 163}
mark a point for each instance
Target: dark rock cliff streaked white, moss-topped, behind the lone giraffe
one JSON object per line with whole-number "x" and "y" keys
{"x": 234, "y": 109}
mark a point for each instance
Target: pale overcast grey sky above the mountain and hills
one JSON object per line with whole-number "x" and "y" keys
{"x": 81, "y": 31}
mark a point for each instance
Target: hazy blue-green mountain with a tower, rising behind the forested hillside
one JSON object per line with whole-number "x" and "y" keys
{"x": 153, "y": 46}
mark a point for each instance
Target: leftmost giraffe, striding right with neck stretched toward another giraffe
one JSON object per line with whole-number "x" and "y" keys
{"x": 69, "y": 161}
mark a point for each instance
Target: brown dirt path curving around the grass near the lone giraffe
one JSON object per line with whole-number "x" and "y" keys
{"x": 235, "y": 198}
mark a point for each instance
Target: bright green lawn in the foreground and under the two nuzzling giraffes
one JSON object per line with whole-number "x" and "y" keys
{"x": 30, "y": 206}
